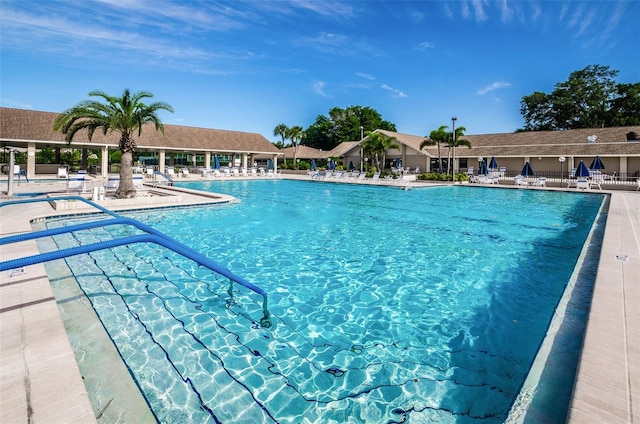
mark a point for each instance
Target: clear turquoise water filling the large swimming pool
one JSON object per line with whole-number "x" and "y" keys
{"x": 425, "y": 305}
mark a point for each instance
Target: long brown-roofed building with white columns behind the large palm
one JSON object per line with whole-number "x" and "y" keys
{"x": 31, "y": 130}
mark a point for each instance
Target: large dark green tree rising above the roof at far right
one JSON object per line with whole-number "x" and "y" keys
{"x": 590, "y": 98}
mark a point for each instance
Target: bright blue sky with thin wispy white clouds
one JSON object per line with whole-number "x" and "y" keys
{"x": 250, "y": 65}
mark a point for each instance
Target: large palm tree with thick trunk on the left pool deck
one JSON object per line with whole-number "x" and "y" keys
{"x": 123, "y": 115}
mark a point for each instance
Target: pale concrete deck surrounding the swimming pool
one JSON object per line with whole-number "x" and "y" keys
{"x": 41, "y": 380}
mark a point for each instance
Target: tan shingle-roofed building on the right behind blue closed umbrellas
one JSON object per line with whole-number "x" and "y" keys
{"x": 618, "y": 147}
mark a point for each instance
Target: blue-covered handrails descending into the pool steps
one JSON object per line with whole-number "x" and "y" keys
{"x": 152, "y": 236}
